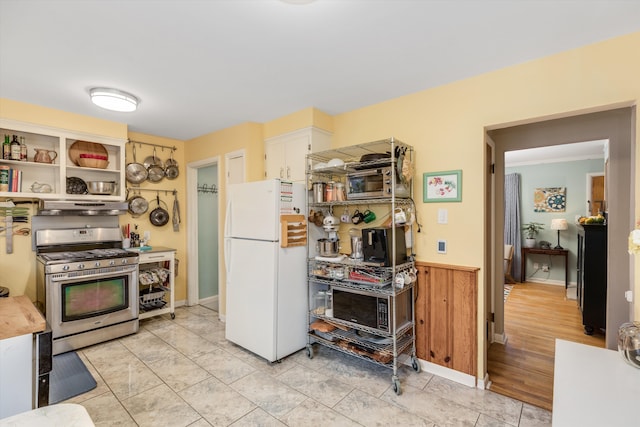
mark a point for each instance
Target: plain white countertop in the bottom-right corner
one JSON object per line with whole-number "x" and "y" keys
{"x": 593, "y": 386}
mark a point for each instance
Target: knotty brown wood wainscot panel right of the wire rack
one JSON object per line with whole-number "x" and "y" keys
{"x": 446, "y": 316}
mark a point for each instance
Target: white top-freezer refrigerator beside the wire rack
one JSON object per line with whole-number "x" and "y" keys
{"x": 266, "y": 284}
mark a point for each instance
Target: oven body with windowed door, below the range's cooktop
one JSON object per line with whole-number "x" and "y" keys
{"x": 89, "y": 303}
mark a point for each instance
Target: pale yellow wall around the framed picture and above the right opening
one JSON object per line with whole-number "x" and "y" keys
{"x": 447, "y": 124}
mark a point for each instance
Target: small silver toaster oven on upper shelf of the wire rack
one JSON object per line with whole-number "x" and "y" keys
{"x": 374, "y": 183}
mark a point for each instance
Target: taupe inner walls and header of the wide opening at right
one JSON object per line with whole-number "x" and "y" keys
{"x": 614, "y": 125}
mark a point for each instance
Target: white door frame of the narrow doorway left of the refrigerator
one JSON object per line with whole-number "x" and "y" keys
{"x": 193, "y": 277}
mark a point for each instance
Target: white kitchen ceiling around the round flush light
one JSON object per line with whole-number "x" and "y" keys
{"x": 201, "y": 66}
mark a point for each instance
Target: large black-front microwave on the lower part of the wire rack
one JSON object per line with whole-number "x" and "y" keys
{"x": 371, "y": 309}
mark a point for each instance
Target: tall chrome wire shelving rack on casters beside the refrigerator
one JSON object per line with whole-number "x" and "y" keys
{"x": 381, "y": 345}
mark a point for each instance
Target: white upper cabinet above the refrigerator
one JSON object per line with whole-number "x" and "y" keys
{"x": 285, "y": 155}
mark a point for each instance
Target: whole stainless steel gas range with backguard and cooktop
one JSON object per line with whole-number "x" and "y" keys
{"x": 86, "y": 285}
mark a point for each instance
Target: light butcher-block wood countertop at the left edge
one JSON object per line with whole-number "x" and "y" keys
{"x": 18, "y": 316}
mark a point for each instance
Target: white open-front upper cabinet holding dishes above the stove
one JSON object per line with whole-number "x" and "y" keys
{"x": 49, "y": 180}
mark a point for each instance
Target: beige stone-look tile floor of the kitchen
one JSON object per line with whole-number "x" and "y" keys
{"x": 183, "y": 372}
